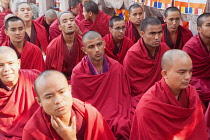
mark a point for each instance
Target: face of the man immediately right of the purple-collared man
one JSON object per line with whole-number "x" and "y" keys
{"x": 152, "y": 35}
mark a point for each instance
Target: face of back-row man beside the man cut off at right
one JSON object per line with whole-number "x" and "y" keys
{"x": 172, "y": 20}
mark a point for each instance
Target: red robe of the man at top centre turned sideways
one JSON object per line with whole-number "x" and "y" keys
{"x": 101, "y": 24}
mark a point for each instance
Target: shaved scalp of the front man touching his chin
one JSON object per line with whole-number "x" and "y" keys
{"x": 47, "y": 75}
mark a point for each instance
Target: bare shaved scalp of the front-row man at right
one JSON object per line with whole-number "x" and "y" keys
{"x": 169, "y": 57}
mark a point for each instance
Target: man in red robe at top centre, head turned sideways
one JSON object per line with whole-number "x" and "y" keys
{"x": 95, "y": 19}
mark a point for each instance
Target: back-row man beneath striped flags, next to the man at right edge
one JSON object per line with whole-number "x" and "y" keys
{"x": 174, "y": 35}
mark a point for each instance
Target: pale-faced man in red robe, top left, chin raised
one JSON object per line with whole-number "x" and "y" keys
{"x": 35, "y": 33}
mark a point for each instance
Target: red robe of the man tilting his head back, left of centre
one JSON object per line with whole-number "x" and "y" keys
{"x": 55, "y": 55}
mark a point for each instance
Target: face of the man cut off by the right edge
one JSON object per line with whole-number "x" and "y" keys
{"x": 204, "y": 30}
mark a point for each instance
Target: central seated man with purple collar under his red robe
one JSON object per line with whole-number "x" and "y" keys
{"x": 102, "y": 81}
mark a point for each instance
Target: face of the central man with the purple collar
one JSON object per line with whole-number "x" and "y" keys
{"x": 94, "y": 48}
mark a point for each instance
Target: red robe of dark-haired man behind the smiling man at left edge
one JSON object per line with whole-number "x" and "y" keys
{"x": 31, "y": 56}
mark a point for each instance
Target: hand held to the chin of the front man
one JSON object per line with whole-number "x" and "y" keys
{"x": 65, "y": 132}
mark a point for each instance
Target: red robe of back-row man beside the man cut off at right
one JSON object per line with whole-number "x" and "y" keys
{"x": 183, "y": 35}
